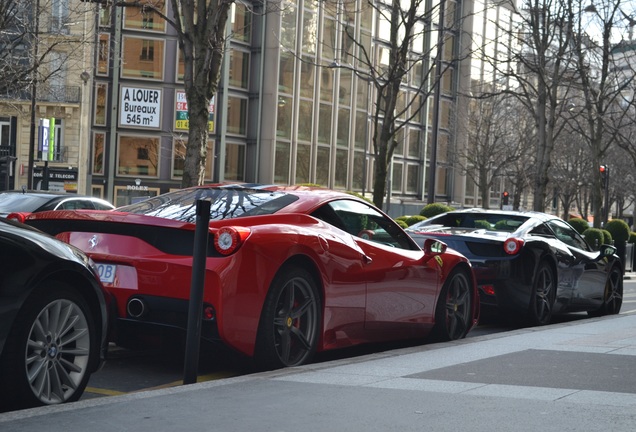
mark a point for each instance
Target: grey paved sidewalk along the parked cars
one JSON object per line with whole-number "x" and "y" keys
{"x": 576, "y": 376}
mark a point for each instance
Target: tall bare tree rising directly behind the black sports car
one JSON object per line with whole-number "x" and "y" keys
{"x": 538, "y": 71}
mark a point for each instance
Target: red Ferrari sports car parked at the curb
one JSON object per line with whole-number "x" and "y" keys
{"x": 289, "y": 270}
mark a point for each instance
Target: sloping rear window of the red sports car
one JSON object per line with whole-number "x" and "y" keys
{"x": 226, "y": 203}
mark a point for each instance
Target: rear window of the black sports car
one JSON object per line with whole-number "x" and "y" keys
{"x": 487, "y": 221}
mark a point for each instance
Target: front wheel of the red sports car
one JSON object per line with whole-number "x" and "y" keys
{"x": 453, "y": 313}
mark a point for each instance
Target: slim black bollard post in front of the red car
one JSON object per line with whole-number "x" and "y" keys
{"x": 195, "y": 306}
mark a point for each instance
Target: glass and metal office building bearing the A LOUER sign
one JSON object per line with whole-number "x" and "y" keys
{"x": 283, "y": 114}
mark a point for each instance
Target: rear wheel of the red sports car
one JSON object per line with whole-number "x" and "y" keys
{"x": 290, "y": 323}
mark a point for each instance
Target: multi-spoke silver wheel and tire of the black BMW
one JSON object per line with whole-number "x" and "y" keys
{"x": 49, "y": 353}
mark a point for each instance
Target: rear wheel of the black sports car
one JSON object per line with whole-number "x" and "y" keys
{"x": 542, "y": 296}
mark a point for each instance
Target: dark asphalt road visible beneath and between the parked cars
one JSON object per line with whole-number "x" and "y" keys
{"x": 128, "y": 371}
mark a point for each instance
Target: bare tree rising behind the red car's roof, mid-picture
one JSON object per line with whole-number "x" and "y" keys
{"x": 405, "y": 26}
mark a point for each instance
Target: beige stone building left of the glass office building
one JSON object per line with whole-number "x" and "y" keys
{"x": 44, "y": 124}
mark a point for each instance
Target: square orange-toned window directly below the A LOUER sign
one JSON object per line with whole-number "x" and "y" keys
{"x": 138, "y": 156}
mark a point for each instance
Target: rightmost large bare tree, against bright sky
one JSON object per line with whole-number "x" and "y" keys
{"x": 602, "y": 78}
